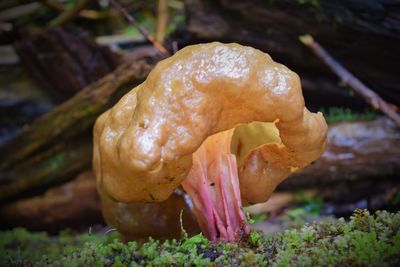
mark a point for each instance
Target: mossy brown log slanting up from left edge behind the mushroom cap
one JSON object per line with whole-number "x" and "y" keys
{"x": 58, "y": 145}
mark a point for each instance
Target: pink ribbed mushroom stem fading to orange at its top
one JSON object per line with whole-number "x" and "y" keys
{"x": 213, "y": 186}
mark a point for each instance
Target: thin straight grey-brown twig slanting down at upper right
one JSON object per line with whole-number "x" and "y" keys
{"x": 370, "y": 96}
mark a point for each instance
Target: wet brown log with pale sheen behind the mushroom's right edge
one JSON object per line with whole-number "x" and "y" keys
{"x": 365, "y": 150}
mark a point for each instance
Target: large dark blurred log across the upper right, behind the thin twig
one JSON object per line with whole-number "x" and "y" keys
{"x": 363, "y": 35}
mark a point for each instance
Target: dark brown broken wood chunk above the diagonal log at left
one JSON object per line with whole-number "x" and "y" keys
{"x": 64, "y": 60}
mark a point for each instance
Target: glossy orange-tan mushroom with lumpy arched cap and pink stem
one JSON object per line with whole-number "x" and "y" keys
{"x": 223, "y": 120}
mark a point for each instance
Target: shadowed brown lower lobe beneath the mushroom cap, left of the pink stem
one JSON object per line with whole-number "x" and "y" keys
{"x": 138, "y": 221}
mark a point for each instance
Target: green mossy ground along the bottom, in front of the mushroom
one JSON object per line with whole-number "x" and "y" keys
{"x": 365, "y": 240}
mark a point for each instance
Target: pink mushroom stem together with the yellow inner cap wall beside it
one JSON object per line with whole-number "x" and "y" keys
{"x": 213, "y": 182}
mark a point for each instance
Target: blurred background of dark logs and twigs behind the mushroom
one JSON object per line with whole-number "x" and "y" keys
{"x": 64, "y": 62}
